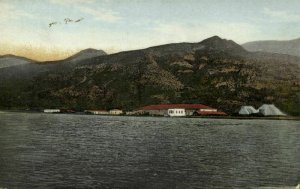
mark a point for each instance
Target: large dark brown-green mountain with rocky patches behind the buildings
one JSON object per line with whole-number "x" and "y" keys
{"x": 216, "y": 72}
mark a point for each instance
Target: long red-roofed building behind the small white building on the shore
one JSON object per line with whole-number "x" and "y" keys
{"x": 162, "y": 109}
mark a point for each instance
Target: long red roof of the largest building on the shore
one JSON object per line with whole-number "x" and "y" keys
{"x": 170, "y": 106}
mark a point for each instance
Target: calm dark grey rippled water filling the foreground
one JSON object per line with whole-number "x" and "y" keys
{"x": 81, "y": 151}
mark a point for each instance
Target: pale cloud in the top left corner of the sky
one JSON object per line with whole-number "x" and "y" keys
{"x": 10, "y": 12}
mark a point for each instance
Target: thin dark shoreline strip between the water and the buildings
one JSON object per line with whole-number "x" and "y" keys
{"x": 294, "y": 118}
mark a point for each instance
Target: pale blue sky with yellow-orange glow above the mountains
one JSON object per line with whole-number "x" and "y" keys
{"x": 119, "y": 25}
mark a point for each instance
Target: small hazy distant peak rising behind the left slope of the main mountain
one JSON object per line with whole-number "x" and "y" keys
{"x": 86, "y": 54}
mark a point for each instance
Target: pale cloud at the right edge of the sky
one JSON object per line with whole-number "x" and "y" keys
{"x": 281, "y": 15}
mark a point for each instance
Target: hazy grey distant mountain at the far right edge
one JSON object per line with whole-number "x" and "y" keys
{"x": 291, "y": 47}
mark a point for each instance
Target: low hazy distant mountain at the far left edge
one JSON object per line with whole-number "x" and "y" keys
{"x": 12, "y": 60}
